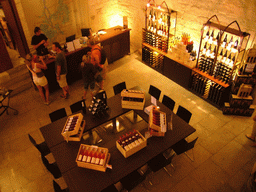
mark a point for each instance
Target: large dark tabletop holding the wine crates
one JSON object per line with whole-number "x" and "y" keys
{"x": 81, "y": 179}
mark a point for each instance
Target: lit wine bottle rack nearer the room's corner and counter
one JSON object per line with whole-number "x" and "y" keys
{"x": 160, "y": 25}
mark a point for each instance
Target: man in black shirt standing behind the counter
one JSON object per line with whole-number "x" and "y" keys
{"x": 39, "y": 42}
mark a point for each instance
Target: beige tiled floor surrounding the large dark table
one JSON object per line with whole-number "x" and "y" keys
{"x": 223, "y": 155}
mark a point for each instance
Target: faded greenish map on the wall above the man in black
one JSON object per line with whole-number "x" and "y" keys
{"x": 52, "y": 21}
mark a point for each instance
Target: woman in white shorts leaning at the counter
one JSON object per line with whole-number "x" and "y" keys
{"x": 38, "y": 76}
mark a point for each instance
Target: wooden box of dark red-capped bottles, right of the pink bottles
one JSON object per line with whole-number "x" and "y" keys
{"x": 131, "y": 143}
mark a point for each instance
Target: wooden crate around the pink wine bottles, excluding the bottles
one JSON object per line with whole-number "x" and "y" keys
{"x": 97, "y": 167}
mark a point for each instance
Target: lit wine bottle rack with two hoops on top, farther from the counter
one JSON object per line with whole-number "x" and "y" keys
{"x": 220, "y": 54}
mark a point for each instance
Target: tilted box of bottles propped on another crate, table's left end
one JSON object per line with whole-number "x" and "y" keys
{"x": 73, "y": 128}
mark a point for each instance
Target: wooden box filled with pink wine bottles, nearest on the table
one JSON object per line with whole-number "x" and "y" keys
{"x": 93, "y": 157}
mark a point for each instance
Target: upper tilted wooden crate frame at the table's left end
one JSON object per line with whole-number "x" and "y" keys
{"x": 68, "y": 125}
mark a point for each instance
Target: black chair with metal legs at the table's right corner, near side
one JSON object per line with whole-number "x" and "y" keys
{"x": 183, "y": 146}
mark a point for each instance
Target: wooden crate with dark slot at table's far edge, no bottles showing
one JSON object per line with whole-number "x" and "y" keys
{"x": 133, "y": 99}
